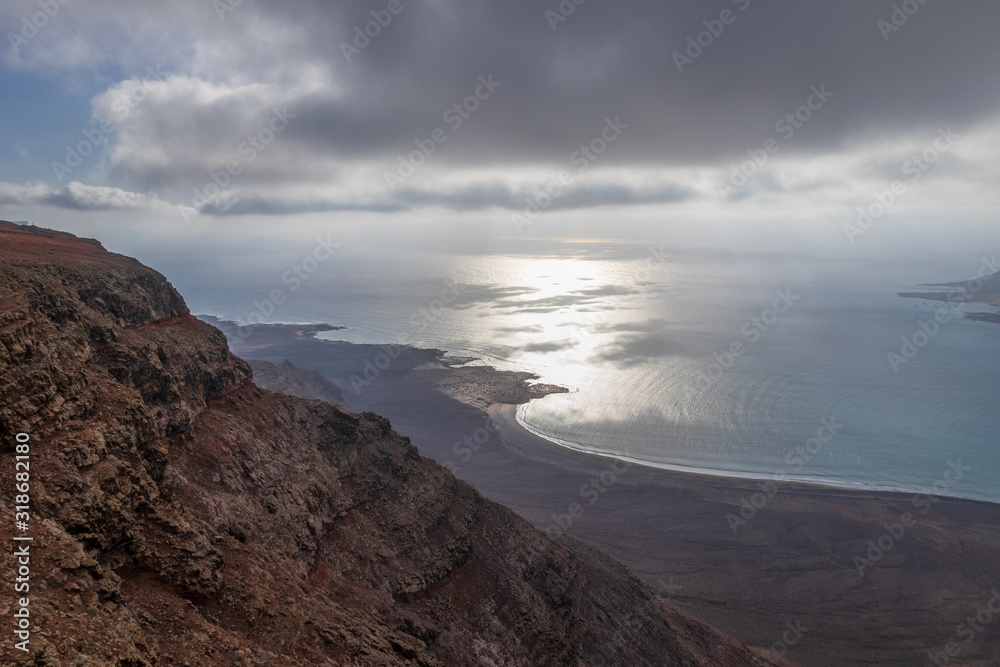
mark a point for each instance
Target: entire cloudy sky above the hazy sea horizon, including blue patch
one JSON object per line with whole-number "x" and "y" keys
{"x": 848, "y": 127}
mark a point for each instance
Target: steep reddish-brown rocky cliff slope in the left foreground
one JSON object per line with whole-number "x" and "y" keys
{"x": 182, "y": 515}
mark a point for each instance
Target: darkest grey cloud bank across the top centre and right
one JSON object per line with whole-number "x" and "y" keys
{"x": 614, "y": 58}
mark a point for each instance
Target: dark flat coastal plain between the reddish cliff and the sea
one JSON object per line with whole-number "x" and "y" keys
{"x": 868, "y": 578}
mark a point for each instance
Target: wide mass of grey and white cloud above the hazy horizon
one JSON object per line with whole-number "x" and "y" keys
{"x": 353, "y": 121}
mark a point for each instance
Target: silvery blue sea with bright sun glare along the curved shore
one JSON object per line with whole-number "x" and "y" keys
{"x": 680, "y": 360}
